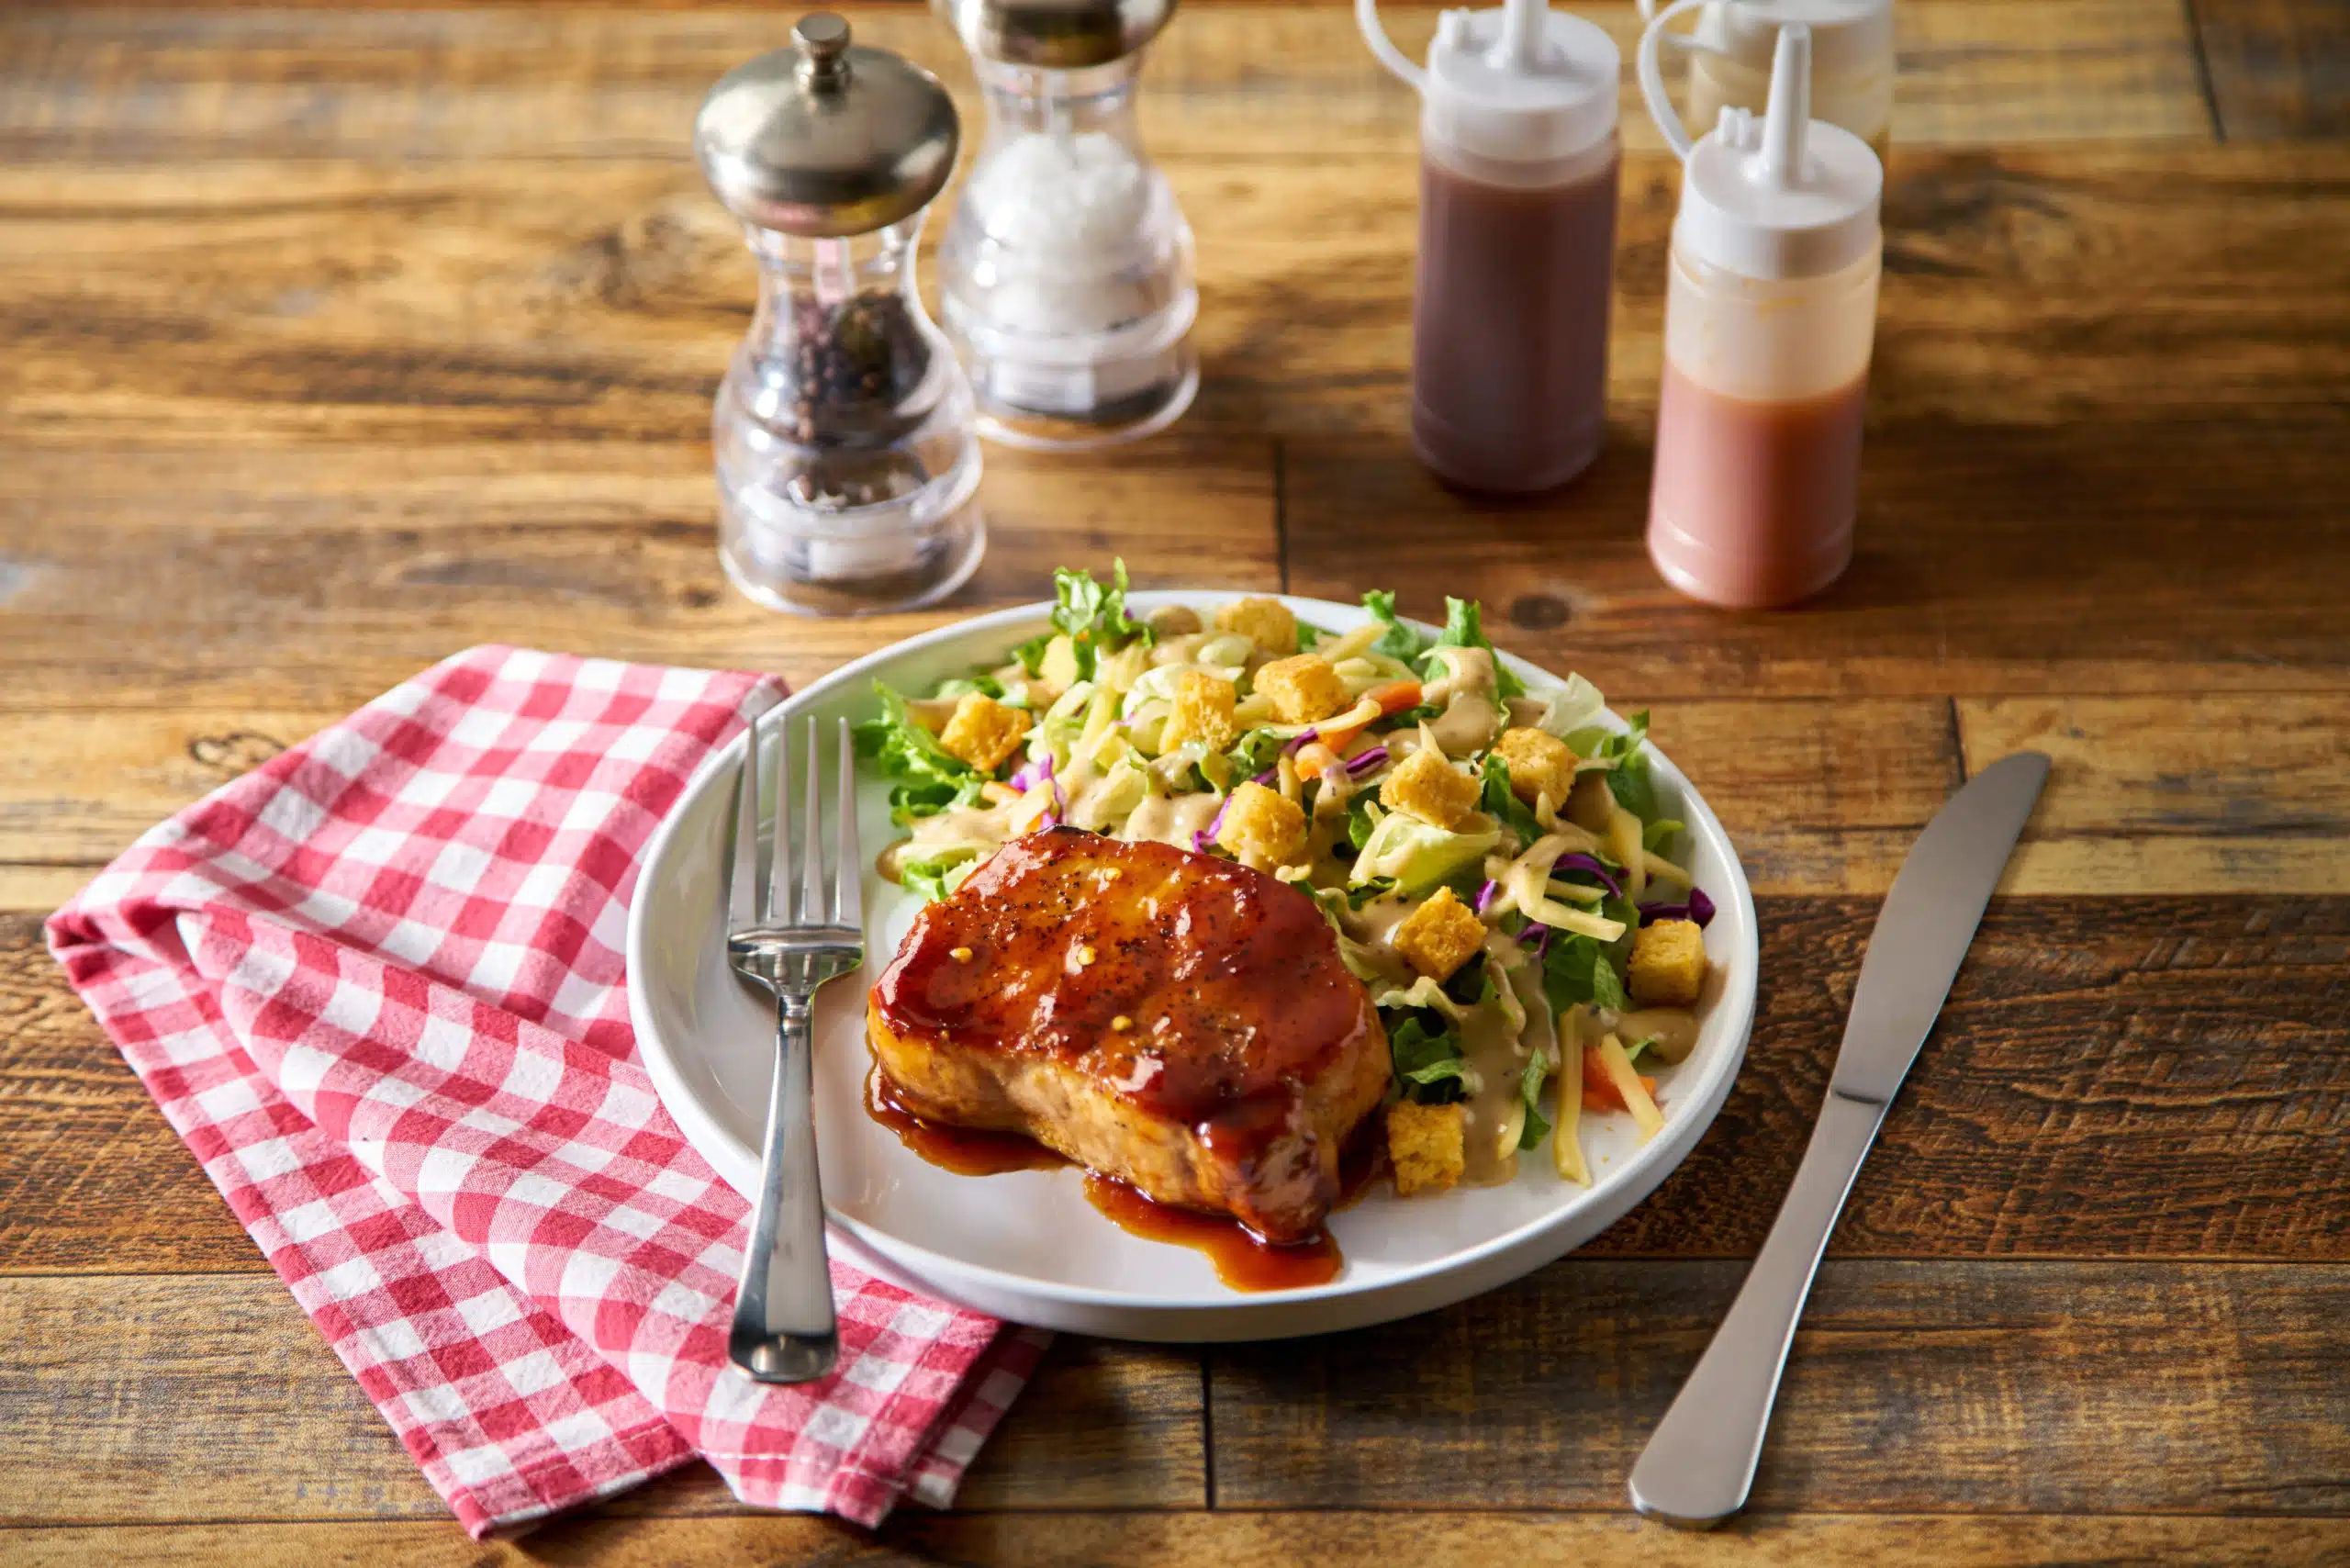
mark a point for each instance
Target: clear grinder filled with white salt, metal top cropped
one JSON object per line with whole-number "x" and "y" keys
{"x": 1066, "y": 274}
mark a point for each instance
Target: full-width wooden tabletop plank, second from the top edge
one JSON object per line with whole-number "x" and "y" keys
{"x": 2088, "y": 293}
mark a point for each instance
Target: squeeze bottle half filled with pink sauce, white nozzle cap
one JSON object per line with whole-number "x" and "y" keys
{"x": 1768, "y": 319}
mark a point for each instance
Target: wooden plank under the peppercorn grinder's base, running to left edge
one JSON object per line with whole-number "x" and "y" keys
{"x": 318, "y": 577}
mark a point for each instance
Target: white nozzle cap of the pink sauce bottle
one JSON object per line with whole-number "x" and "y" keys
{"x": 1782, "y": 196}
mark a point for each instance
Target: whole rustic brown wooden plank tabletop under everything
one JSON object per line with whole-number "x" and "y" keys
{"x": 340, "y": 340}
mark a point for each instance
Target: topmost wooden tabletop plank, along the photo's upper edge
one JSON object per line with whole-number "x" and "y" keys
{"x": 624, "y": 83}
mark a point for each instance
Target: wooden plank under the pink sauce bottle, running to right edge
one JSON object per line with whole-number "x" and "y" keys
{"x": 1994, "y": 561}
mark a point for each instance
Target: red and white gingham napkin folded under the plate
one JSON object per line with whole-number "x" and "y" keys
{"x": 377, "y": 986}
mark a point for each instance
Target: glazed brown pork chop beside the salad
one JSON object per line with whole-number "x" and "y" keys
{"x": 1169, "y": 1019}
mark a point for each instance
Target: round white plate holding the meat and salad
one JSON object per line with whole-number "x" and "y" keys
{"x": 1028, "y": 1245}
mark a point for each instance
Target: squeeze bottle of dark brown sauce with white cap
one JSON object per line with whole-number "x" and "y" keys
{"x": 1517, "y": 243}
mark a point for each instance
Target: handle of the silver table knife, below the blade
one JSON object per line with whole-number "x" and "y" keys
{"x": 1703, "y": 1459}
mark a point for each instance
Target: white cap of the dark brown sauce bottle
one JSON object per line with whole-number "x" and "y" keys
{"x": 1519, "y": 83}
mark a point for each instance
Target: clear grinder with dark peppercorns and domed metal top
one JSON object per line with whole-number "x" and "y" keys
{"x": 845, "y": 438}
